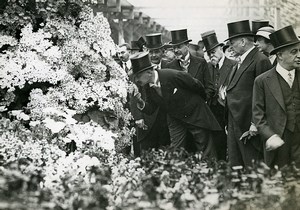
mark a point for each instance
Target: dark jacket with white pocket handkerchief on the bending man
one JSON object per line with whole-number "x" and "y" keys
{"x": 182, "y": 98}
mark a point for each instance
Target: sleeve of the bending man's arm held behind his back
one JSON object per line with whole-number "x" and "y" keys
{"x": 186, "y": 81}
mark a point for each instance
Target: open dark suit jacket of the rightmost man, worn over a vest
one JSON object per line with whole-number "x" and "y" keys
{"x": 269, "y": 110}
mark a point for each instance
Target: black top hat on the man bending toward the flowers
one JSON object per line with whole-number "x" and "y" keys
{"x": 140, "y": 62}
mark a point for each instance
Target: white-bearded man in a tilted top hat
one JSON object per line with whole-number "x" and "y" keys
{"x": 219, "y": 68}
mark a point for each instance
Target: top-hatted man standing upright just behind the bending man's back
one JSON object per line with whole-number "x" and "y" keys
{"x": 184, "y": 61}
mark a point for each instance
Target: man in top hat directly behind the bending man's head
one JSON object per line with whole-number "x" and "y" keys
{"x": 157, "y": 133}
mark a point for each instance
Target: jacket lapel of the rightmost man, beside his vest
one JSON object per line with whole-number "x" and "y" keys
{"x": 274, "y": 86}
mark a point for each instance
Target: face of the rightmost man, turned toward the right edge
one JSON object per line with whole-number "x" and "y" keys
{"x": 290, "y": 57}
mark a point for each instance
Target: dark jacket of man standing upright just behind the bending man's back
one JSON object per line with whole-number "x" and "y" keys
{"x": 198, "y": 68}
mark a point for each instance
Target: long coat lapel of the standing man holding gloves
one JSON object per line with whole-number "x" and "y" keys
{"x": 246, "y": 63}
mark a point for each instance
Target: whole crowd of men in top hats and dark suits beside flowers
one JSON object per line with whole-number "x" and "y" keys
{"x": 241, "y": 104}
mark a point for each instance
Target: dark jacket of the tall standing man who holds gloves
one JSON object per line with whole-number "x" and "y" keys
{"x": 240, "y": 88}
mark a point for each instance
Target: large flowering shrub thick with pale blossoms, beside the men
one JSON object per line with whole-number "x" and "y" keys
{"x": 63, "y": 60}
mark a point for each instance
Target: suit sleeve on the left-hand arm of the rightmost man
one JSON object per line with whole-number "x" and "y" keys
{"x": 258, "y": 109}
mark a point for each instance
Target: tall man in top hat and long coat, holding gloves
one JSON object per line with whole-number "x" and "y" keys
{"x": 242, "y": 151}
